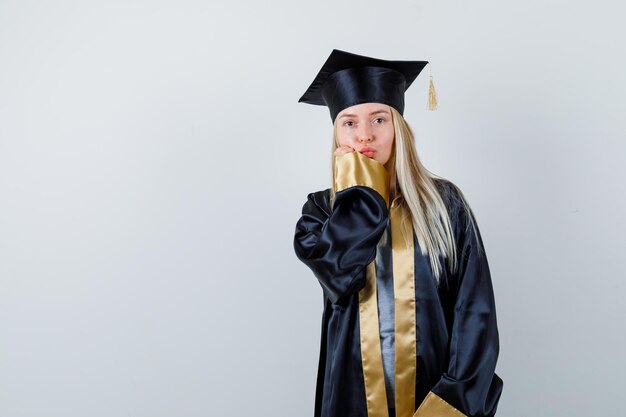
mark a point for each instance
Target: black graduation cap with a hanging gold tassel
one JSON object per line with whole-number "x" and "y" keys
{"x": 347, "y": 79}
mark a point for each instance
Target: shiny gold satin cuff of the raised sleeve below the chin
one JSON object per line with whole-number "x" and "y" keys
{"x": 354, "y": 168}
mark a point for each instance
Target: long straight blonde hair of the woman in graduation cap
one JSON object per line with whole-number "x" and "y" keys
{"x": 414, "y": 187}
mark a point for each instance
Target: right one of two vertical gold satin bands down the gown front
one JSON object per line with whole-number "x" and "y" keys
{"x": 404, "y": 302}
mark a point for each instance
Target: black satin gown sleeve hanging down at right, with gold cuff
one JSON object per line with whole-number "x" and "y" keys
{"x": 469, "y": 387}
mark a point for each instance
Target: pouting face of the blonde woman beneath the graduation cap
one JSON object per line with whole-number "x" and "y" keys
{"x": 367, "y": 128}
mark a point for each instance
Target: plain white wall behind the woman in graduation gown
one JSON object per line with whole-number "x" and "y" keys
{"x": 154, "y": 161}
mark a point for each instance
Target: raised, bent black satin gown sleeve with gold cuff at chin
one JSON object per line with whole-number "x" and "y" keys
{"x": 337, "y": 245}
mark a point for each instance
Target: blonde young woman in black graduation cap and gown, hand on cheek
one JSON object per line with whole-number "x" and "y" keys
{"x": 409, "y": 322}
